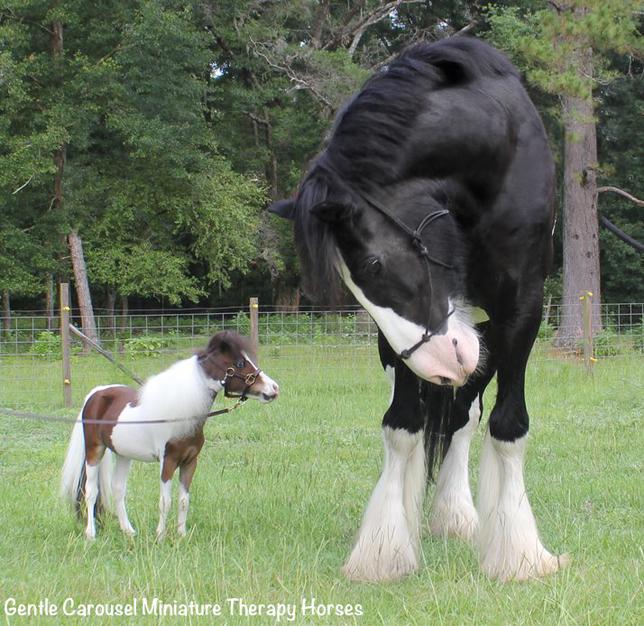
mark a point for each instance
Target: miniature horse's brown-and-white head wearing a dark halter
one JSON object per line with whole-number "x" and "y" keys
{"x": 227, "y": 361}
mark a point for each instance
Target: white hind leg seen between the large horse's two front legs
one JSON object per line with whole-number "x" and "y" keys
{"x": 453, "y": 513}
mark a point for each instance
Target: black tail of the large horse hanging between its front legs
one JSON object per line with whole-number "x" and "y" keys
{"x": 436, "y": 404}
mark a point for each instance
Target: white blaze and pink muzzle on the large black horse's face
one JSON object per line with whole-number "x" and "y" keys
{"x": 447, "y": 359}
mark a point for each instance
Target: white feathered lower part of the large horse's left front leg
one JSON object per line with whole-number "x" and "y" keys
{"x": 388, "y": 541}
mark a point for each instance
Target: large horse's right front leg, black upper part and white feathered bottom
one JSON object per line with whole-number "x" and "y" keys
{"x": 508, "y": 541}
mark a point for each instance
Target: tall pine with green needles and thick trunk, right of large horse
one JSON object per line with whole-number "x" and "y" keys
{"x": 560, "y": 46}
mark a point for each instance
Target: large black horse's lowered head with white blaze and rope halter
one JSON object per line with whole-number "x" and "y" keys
{"x": 409, "y": 284}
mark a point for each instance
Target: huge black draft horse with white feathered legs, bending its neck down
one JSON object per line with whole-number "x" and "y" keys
{"x": 432, "y": 200}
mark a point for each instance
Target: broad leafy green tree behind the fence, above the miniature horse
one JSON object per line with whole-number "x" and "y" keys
{"x": 122, "y": 160}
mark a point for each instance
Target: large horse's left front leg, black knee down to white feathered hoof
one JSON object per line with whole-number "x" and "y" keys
{"x": 388, "y": 543}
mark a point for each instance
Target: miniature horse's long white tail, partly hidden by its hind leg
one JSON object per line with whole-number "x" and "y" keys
{"x": 72, "y": 484}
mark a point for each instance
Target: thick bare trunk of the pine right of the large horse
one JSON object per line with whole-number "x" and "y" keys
{"x": 581, "y": 273}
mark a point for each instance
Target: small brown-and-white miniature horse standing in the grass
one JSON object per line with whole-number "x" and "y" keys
{"x": 163, "y": 421}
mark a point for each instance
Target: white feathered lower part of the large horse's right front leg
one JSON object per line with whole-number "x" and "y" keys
{"x": 508, "y": 540}
